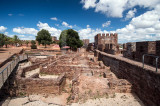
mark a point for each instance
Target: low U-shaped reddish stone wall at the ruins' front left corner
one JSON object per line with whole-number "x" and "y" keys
{"x": 38, "y": 85}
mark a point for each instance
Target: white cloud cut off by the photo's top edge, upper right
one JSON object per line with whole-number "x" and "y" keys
{"x": 115, "y": 8}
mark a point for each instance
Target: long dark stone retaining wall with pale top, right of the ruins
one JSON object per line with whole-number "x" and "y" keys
{"x": 146, "y": 82}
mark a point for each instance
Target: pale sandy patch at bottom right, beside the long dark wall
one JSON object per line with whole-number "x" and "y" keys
{"x": 120, "y": 99}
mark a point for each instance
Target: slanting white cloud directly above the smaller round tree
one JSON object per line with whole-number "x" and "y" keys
{"x": 52, "y": 30}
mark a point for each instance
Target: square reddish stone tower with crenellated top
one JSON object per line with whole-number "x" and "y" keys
{"x": 107, "y": 43}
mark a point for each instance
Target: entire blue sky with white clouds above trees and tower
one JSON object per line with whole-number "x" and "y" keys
{"x": 133, "y": 20}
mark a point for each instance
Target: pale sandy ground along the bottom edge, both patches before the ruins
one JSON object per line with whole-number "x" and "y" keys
{"x": 120, "y": 99}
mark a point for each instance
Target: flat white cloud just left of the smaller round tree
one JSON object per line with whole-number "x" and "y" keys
{"x": 22, "y": 30}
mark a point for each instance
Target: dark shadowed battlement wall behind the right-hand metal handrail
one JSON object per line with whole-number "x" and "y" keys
{"x": 136, "y": 50}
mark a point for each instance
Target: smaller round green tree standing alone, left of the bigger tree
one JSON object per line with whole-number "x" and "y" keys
{"x": 44, "y": 37}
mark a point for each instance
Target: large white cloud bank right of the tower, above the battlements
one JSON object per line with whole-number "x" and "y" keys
{"x": 141, "y": 28}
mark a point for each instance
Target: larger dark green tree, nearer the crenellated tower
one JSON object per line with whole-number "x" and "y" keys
{"x": 70, "y": 38}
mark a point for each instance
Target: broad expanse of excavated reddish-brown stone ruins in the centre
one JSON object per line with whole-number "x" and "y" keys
{"x": 79, "y": 69}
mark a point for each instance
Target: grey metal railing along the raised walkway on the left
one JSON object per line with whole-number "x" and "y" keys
{"x": 4, "y": 74}
